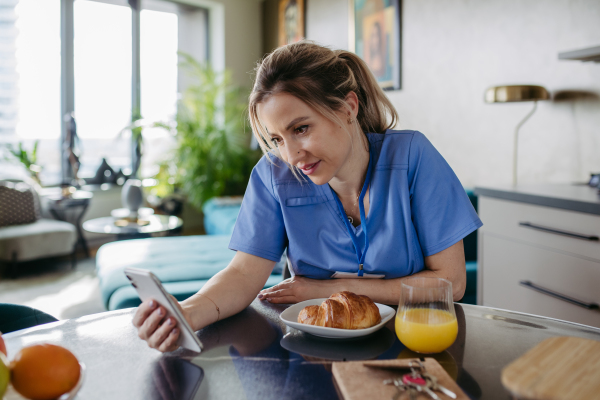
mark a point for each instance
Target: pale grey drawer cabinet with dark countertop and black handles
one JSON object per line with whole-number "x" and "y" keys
{"x": 539, "y": 251}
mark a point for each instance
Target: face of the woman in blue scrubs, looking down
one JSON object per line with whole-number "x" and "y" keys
{"x": 305, "y": 138}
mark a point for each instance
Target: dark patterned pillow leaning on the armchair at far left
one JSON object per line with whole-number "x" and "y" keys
{"x": 18, "y": 204}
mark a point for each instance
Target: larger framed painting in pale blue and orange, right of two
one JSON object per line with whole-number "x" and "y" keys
{"x": 376, "y": 37}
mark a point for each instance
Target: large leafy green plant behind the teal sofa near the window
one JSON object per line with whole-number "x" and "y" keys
{"x": 212, "y": 153}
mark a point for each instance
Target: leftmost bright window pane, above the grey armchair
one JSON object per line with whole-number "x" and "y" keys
{"x": 30, "y": 80}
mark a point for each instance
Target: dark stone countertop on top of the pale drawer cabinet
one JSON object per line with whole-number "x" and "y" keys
{"x": 573, "y": 197}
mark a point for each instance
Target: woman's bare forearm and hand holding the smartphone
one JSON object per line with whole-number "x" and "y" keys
{"x": 232, "y": 290}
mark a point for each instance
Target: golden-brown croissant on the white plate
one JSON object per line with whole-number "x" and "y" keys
{"x": 344, "y": 310}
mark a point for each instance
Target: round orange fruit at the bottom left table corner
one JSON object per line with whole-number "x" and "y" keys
{"x": 44, "y": 371}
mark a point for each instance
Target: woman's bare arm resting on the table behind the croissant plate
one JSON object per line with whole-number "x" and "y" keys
{"x": 448, "y": 264}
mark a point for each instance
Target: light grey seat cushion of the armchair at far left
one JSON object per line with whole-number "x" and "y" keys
{"x": 43, "y": 238}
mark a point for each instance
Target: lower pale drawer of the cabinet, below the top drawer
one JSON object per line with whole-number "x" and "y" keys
{"x": 506, "y": 263}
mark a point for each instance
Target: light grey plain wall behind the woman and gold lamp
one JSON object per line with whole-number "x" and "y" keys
{"x": 454, "y": 49}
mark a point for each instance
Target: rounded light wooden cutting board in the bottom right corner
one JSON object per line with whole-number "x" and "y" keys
{"x": 559, "y": 368}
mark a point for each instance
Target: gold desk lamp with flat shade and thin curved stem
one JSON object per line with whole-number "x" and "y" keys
{"x": 516, "y": 93}
